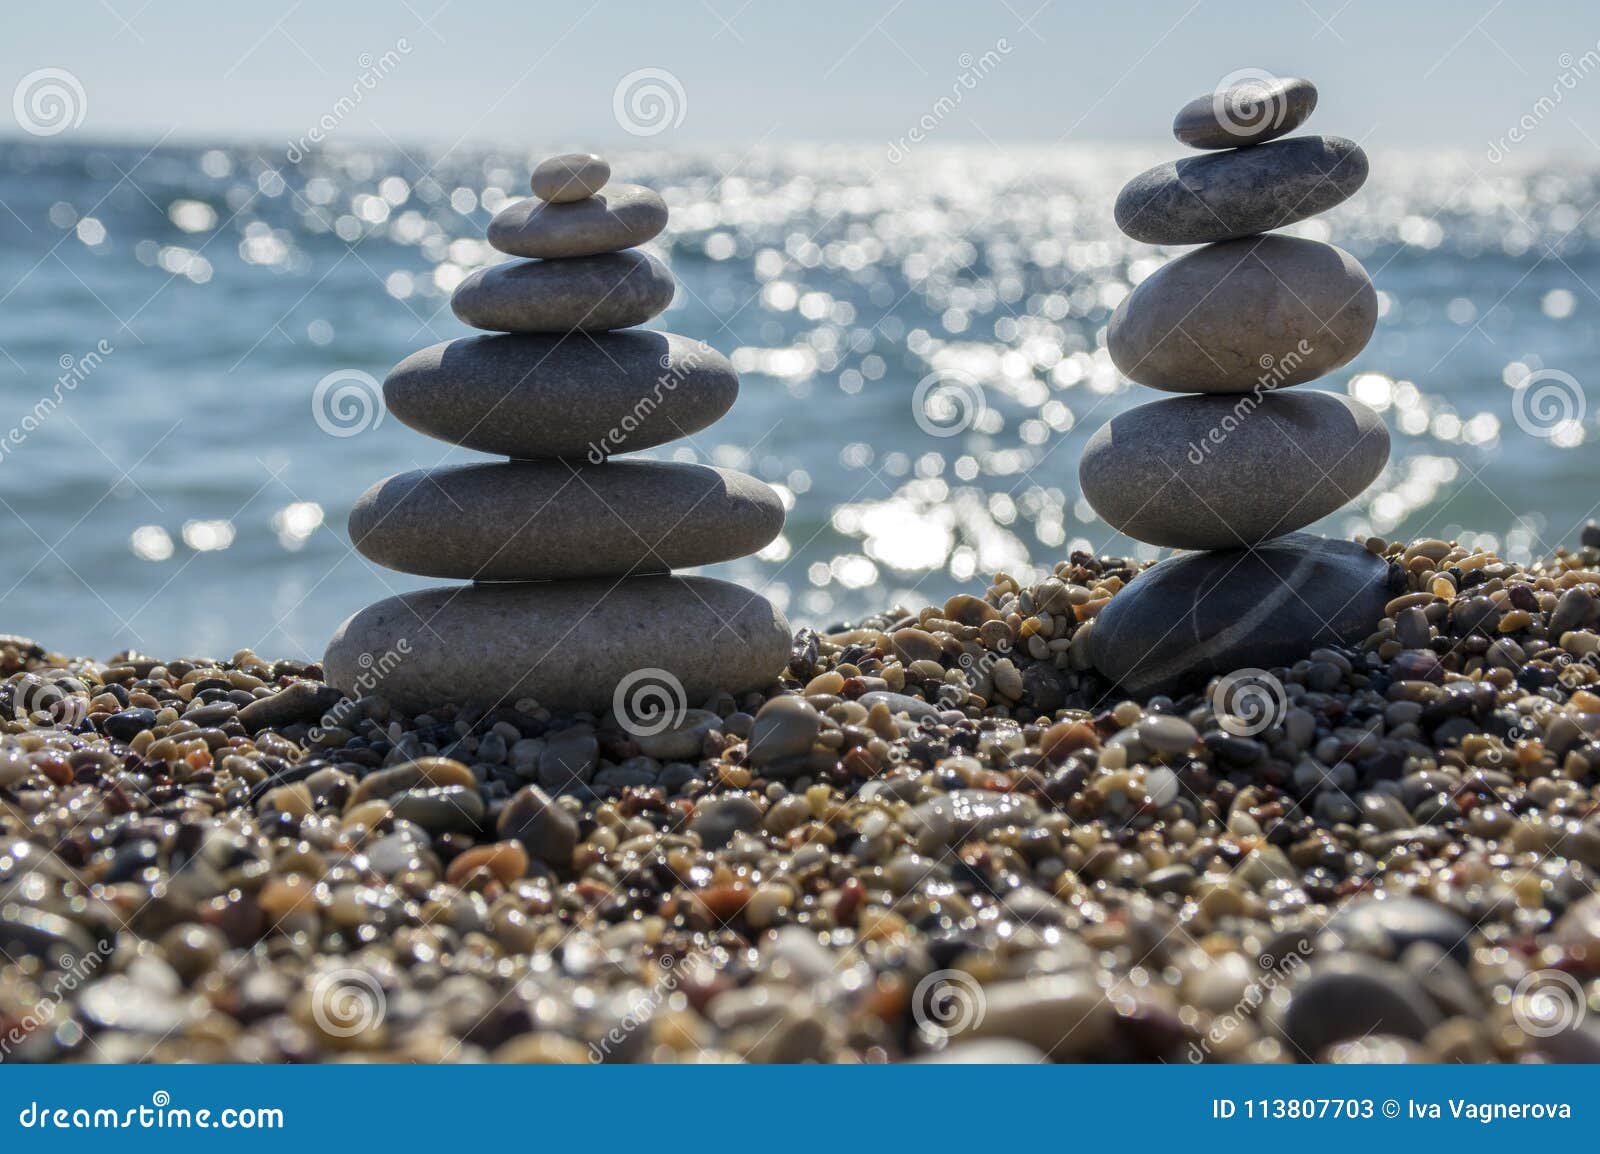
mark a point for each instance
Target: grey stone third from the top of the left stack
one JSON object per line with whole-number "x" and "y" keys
{"x": 591, "y": 294}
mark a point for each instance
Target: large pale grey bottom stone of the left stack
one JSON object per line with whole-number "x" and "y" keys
{"x": 567, "y": 644}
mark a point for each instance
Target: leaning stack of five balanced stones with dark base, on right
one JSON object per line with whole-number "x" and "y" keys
{"x": 1241, "y": 462}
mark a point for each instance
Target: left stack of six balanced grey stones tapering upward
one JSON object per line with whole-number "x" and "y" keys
{"x": 569, "y": 553}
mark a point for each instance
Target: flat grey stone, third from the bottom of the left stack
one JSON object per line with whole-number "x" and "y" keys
{"x": 575, "y": 396}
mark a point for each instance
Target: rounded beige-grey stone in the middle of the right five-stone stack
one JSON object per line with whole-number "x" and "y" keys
{"x": 1230, "y": 318}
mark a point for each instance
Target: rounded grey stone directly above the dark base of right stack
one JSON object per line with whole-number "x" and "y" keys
{"x": 1217, "y": 473}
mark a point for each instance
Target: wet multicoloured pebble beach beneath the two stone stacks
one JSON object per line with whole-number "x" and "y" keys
{"x": 940, "y": 836}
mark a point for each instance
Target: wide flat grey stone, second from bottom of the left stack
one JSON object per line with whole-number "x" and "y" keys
{"x": 537, "y": 521}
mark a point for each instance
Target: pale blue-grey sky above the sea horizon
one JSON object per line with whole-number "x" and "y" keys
{"x": 537, "y": 73}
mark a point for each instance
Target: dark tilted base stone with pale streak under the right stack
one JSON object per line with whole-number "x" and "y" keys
{"x": 1207, "y": 614}
